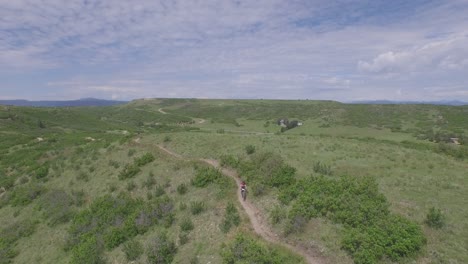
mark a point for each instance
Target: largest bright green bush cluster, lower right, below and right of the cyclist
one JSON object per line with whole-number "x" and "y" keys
{"x": 372, "y": 232}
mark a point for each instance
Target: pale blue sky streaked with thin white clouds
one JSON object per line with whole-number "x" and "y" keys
{"x": 342, "y": 50}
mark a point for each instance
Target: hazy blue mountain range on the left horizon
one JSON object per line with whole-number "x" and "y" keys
{"x": 79, "y": 102}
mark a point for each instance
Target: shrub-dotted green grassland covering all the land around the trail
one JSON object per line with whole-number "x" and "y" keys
{"x": 76, "y": 188}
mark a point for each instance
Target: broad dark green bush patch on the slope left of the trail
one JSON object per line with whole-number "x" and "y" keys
{"x": 114, "y": 220}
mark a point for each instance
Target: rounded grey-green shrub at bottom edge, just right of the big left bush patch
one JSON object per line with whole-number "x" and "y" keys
{"x": 161, "y": 250}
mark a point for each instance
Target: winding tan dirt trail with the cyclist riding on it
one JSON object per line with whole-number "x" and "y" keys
{"x": 259, "y": 223}
